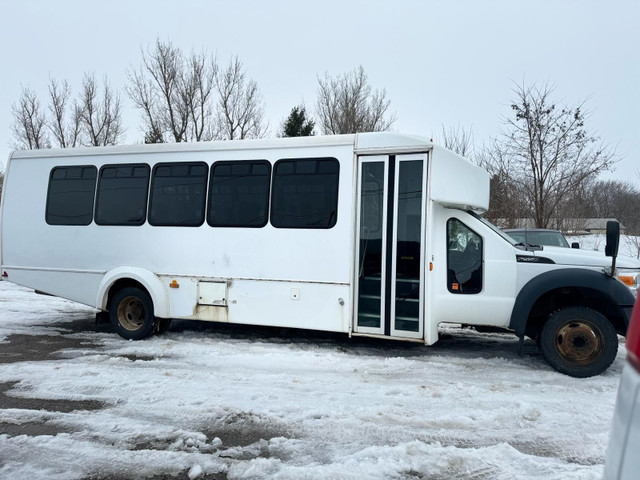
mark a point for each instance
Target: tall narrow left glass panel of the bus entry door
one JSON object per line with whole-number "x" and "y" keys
{"x": 370, "y": 263}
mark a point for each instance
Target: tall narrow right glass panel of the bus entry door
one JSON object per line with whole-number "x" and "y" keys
{"x": 408, "y": 246}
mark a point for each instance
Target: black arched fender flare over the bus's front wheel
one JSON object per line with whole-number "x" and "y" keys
{"x": 617, "y": 294}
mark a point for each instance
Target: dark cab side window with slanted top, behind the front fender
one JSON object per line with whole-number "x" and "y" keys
{"x": 464, "y": 258}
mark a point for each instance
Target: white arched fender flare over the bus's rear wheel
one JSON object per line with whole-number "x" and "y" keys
{"x": 147, "y": 279}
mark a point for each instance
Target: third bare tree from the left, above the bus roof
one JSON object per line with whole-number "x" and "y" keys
{"x": 101, "y": 113}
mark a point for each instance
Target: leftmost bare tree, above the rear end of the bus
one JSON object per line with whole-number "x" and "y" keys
{"x": 28, "y": 127}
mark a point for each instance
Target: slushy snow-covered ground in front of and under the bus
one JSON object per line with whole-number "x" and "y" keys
{"x": 210, "y": 401}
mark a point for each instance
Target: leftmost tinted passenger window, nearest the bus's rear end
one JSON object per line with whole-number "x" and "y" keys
{"x": 70, "y": 195}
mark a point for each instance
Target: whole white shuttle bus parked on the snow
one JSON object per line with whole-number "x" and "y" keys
{"x": 374, "y": 234}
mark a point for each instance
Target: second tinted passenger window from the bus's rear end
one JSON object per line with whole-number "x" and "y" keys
{"x": 122, "y": 194}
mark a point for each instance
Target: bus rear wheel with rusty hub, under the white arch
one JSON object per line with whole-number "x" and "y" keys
{"x": 131, "y": 313}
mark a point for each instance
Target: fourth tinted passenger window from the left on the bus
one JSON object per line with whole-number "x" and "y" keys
{"x": 239, "y": 194}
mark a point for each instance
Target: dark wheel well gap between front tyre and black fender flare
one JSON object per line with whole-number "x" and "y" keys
{"x": 573, "y": 296}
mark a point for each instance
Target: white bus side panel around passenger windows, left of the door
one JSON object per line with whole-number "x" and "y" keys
{"x": 259, "y": 264}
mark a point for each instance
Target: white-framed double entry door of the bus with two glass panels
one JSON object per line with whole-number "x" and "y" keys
{"x": 391, "y": 244}
